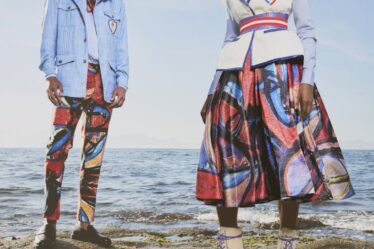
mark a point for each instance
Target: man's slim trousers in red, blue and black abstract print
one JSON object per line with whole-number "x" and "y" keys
{"x": 95, "y": 130}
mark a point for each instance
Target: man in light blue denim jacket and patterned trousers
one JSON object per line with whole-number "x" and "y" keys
{"x": 84, "y": 57}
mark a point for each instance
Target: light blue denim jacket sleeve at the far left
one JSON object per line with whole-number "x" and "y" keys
{"x": 49, "y": 37}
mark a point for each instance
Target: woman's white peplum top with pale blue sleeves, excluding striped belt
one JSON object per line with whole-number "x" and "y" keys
{"x": 267, "y": 47}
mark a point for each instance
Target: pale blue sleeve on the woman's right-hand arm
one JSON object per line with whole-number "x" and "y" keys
{"x": 306, "y": 32}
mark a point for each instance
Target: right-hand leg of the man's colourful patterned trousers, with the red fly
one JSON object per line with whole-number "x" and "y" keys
{"x": 95, "y": 132}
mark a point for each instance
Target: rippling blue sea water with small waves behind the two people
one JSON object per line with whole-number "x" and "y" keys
{"x": 154, "y": 189}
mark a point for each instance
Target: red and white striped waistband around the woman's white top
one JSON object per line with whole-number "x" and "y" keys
{"x": 272, "y": 20}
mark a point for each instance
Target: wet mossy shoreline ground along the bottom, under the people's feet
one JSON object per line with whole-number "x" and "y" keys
{"x": 185, "y": 239}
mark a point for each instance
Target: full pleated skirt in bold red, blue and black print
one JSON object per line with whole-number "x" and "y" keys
{"x": 256, "y": 147}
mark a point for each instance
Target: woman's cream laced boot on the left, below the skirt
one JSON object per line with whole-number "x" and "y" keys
{"x": 230, "y": 238}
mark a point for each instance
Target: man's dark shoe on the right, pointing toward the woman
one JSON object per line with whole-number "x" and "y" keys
{"x": 90, "y": 235}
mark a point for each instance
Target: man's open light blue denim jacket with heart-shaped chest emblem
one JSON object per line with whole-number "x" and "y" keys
{"x": 64, "y": 50}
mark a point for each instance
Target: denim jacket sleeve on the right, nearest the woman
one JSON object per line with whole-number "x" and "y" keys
{"x": 122, "y": 57}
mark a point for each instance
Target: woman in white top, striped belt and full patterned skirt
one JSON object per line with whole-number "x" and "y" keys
{"x": 267, "y": 133}
